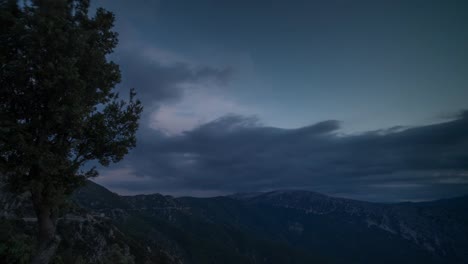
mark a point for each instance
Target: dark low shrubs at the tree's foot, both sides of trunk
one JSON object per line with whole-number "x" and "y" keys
{"x": 17, "y": 244}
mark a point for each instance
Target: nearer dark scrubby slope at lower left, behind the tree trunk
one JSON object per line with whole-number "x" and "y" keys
{"x": 86, "y": 236}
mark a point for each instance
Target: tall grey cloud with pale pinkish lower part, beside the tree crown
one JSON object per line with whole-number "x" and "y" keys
{"x": 178, "y": 92}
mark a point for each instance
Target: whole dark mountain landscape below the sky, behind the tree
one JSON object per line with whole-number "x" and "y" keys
{"x": 273, "y": 227}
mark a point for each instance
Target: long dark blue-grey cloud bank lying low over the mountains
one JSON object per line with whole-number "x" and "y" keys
{"x": 236, "y": 153}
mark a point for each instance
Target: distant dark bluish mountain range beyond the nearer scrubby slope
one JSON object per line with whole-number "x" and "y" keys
{"x": 304, "y": 226}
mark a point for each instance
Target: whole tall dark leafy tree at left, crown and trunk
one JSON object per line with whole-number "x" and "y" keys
{"x": 58, "y": 107}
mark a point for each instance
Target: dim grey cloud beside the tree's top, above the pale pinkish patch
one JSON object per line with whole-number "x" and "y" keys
{"x": 157, "y": 74}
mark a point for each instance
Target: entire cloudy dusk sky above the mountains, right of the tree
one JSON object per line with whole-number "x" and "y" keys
{"x": 357, "y": 99}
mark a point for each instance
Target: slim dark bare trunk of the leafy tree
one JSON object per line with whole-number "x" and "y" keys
{"x": 47, "y": 239}
